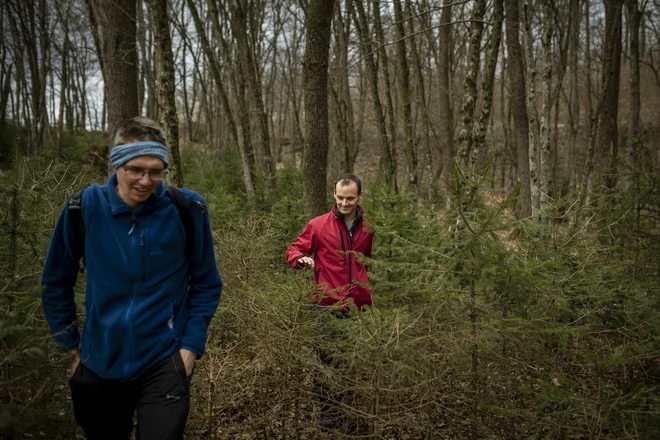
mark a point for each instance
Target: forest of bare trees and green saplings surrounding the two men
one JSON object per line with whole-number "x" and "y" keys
{"x": 509, "y": 153}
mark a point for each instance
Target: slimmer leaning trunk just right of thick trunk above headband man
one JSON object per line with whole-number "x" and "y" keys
{"x": 166, "y": 85}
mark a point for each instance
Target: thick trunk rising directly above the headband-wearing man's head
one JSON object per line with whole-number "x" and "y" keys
{"x": 114, "y": 29}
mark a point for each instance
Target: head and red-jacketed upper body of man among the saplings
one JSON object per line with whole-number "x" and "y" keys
{"x": 332, "y": 245}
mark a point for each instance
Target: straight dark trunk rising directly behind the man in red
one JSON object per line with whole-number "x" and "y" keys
{"x": 315, "y": 85}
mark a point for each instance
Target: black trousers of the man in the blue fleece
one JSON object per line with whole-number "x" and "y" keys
{"x": 161, "y": 397}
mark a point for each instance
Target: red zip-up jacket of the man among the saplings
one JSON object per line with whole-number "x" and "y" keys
{"x": 338, "y": 275}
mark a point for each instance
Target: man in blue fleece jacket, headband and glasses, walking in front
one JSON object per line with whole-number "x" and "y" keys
{"x": 148, "y": 302}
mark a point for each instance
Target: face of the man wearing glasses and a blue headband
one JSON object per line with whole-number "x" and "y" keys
{"x": 134, "y": 191}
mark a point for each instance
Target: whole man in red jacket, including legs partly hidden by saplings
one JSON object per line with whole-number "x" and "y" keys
{"x": 332, "y": 245}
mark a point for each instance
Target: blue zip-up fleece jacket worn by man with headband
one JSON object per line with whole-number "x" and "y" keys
{"x": 144, "y": 298}
